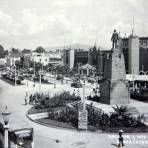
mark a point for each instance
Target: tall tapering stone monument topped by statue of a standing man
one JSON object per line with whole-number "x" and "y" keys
{"x": 114, "y": 88}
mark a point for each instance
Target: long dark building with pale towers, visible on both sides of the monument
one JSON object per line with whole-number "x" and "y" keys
{"x": 135, "y": 51}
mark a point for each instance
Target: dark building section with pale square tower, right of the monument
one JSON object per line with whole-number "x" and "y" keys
{"x": 135, "y": 50}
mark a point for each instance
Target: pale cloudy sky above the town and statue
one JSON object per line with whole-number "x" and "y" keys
{"x": 48, "y": 23}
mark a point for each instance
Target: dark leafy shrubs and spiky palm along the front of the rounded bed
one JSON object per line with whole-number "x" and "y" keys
{"x": 97, "y": 118}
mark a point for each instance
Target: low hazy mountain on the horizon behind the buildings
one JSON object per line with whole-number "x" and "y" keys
{"x": 73, "y": 46}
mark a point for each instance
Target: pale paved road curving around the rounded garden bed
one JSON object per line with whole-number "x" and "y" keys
{"x": 45, "y": 137}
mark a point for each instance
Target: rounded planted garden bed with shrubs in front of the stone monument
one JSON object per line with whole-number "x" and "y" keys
{"x": 65, "y": 115}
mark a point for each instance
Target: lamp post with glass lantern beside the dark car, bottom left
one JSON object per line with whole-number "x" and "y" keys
{"x": 6, "y": 117}
